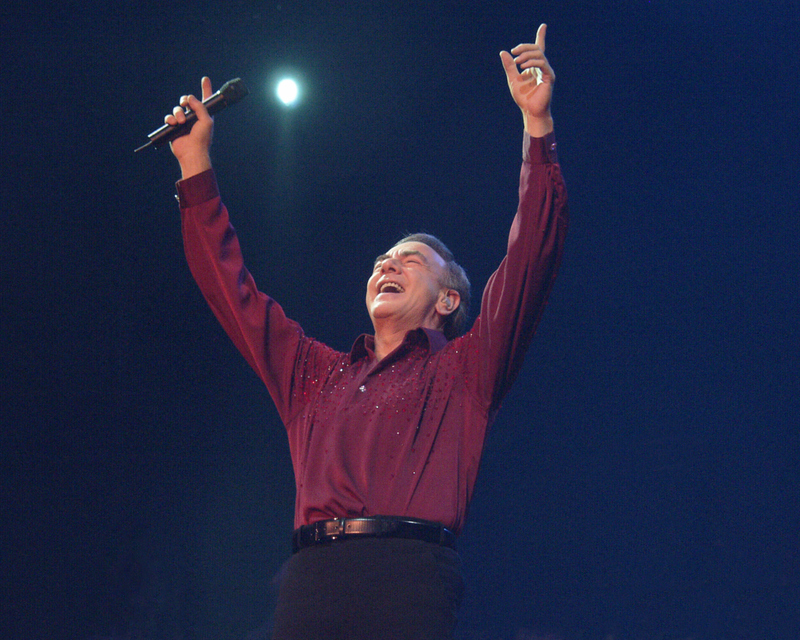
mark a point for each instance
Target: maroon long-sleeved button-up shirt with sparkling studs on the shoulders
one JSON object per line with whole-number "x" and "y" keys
{"x": 403, "y": 436}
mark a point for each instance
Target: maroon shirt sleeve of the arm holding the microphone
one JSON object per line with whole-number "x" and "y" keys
{"x": 274, "y": 345}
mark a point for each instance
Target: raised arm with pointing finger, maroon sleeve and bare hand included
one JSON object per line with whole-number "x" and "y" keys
{"x": 516, "y": 294}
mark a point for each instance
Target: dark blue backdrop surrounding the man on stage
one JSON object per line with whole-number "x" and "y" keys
{"x": 642, "y": 479}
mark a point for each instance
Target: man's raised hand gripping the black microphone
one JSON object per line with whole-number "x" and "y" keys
{"x": 192, "y": 149}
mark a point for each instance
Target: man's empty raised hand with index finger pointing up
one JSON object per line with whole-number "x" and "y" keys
{"x": 532, "y": 84}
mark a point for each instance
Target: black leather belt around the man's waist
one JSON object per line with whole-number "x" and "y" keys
{"x": 375, "y": 527}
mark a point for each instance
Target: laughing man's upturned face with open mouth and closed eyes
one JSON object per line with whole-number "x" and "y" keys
{"x": 405, "y": 286}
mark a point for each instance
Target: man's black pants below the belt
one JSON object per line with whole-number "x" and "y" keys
{"x": 370, "y": 588}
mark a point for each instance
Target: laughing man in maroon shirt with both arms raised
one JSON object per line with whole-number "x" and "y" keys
{"x": 386, "y": 439}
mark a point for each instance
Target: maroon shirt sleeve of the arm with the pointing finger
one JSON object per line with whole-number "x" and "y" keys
{"x": 516, "y": 294}
